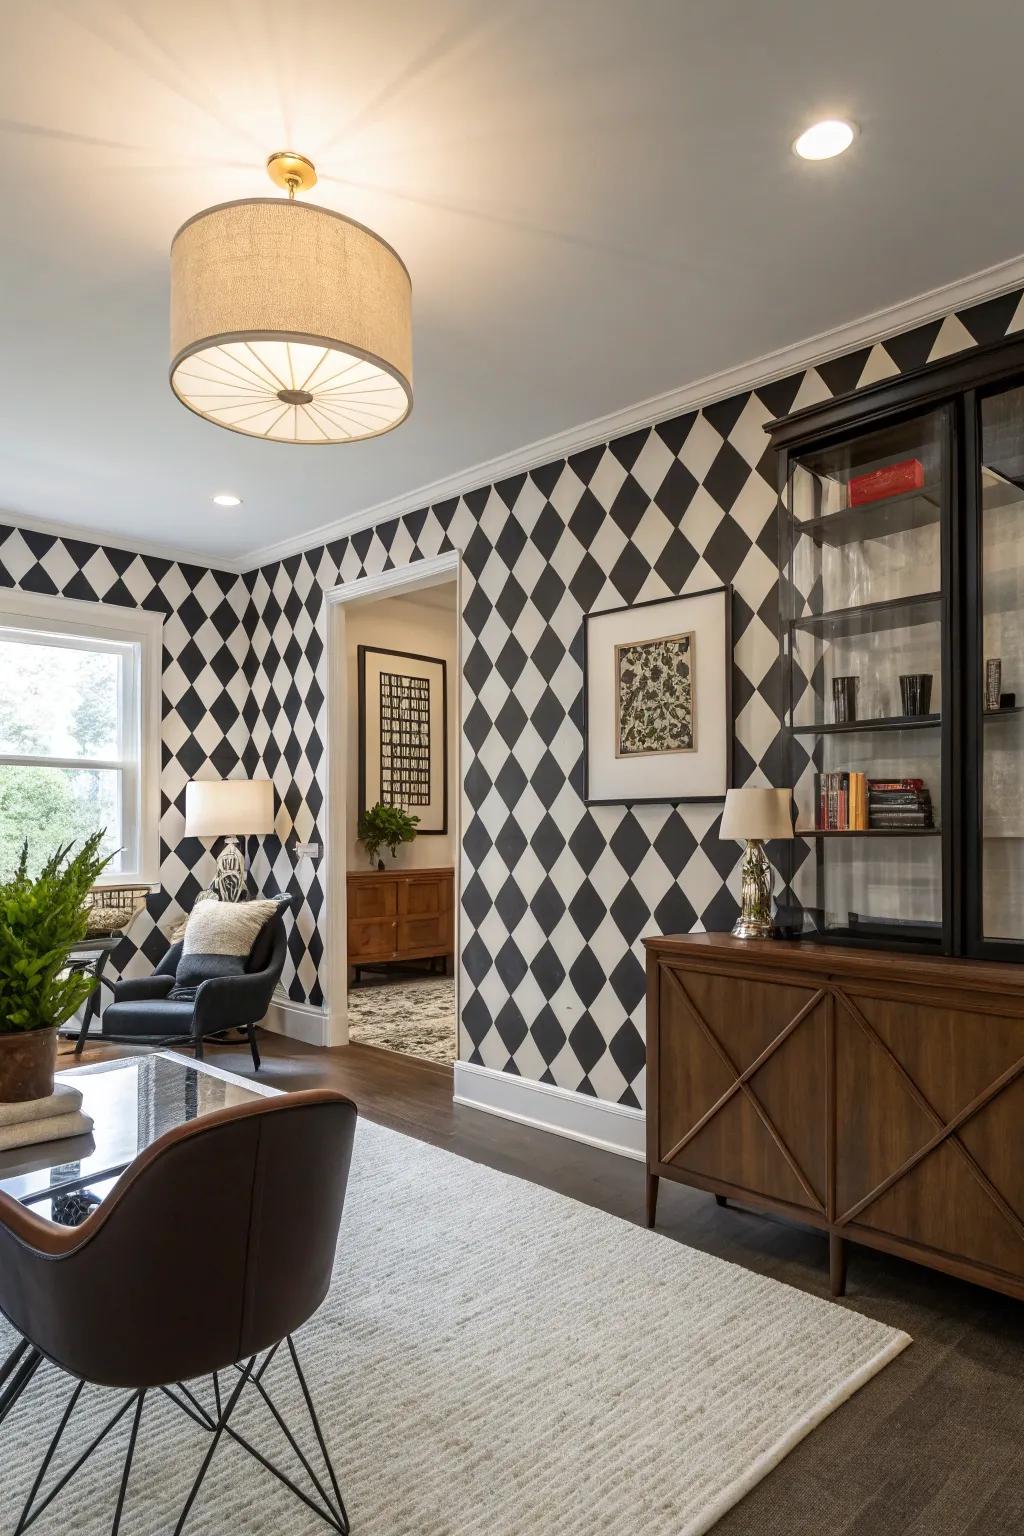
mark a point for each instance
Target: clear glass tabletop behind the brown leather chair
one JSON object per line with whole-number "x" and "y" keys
{"x": 131, "y": 1102}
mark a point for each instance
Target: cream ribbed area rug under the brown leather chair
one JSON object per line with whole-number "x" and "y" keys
{"x": 494, "y": 1360}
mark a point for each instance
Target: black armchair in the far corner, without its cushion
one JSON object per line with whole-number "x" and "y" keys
{"x": 144, "y": 1008}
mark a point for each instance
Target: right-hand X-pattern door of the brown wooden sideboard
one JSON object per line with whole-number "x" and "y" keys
{"x": 930, "y": 1114}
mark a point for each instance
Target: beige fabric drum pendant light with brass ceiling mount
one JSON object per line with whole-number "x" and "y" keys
{"x": 289, "y": 322}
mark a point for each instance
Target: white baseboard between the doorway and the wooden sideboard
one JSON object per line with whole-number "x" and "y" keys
{"x": 613, "y": 1128}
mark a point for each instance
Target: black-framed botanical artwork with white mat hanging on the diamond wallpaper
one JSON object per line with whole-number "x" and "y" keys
{"x": 658, "y": 701}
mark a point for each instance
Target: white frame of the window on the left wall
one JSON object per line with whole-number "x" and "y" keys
{"x": 137, "y": 637}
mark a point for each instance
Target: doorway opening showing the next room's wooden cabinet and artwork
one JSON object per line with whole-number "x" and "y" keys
{"x": 395, "y": 744}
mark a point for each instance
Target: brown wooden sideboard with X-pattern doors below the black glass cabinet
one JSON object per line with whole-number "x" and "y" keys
{"x": 874, "y": 1096}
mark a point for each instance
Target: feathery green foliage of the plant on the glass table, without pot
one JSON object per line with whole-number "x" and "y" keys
{"x": 41, "y": 921}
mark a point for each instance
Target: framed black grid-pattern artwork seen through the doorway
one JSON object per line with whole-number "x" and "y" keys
{"x": 405, "y": 735}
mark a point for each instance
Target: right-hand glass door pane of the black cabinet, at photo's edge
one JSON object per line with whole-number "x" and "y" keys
{"x": 1000, "y": 686}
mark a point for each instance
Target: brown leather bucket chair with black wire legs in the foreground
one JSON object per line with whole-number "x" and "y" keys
{"x": 251, "y": 1194}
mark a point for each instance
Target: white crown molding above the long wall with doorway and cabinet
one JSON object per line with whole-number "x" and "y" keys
{"x": 675, "y": 403}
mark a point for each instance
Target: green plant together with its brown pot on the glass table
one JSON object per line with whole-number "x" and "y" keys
{"x": 41, "y": 922}
